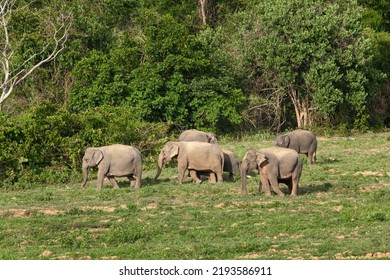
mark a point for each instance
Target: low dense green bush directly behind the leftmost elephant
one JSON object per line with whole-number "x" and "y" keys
{"x": 46, "y": 144}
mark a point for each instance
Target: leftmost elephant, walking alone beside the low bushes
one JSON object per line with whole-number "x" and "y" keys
{"x": 113, "y": 161}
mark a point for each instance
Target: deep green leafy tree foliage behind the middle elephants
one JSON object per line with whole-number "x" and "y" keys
{"x": 179, "y": 82}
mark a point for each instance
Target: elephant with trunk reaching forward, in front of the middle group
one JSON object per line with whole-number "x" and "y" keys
{"x": 194, "y": 156}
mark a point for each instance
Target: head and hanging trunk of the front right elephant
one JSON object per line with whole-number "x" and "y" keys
{"x": 252, "y": 160}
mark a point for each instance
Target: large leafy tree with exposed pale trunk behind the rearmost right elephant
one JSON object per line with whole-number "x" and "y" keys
{"x": 317, "y": 53}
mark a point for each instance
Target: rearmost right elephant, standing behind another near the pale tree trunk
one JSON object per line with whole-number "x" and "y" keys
{"x": 302, "y": 141}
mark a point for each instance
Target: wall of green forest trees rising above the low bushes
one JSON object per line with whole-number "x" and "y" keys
{"x": 223, "y": 65}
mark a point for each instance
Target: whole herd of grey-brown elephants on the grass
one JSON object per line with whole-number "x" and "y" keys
{"x": 199, "y": 153}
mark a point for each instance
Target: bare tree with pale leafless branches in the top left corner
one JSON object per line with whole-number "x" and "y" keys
{"x": 18, "y": 64}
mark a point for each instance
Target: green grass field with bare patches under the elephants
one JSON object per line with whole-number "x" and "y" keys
{"x": 342, "y": 212}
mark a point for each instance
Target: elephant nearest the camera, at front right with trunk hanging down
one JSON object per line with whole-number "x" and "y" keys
{"x": 275, "y": 165}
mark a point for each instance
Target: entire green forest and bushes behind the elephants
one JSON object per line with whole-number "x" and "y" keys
{"x": 139, "y": 72}
